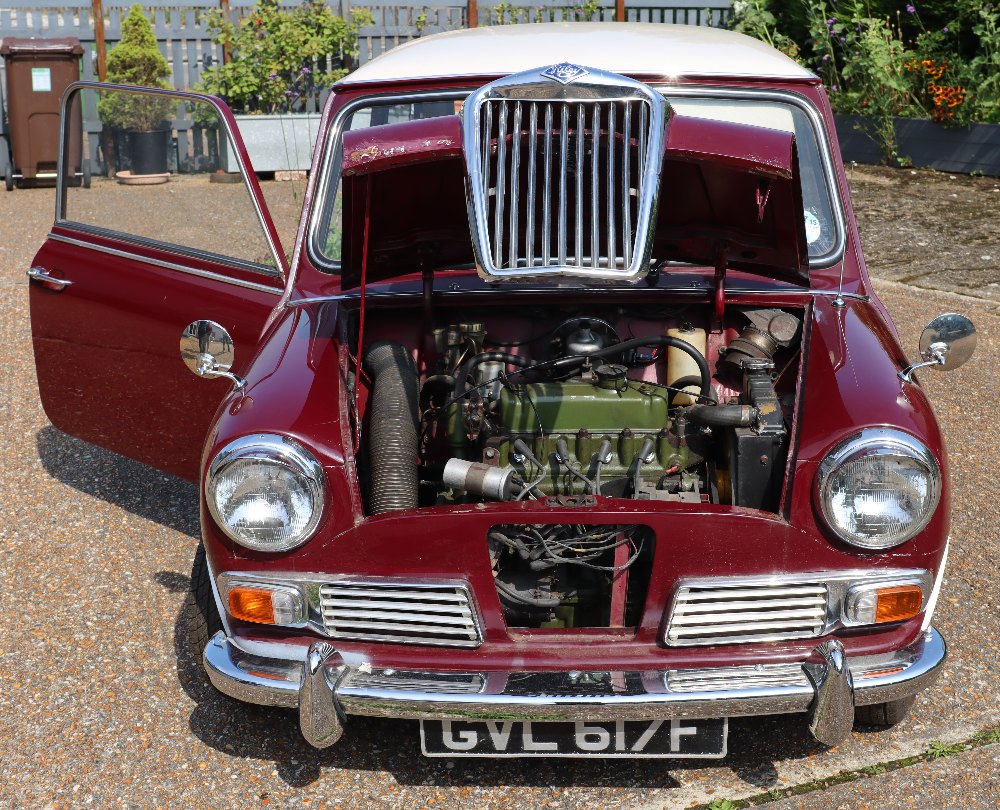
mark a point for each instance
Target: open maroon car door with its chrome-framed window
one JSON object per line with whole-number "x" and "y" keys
{"x": 134, "y": 260}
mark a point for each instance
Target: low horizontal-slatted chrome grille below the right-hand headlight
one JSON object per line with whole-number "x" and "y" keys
{"x": 745, "y": 612}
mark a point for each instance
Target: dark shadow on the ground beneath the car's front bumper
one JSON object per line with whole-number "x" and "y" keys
{"x": 393, "y": 746}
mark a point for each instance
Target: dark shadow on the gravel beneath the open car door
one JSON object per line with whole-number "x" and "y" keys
{"x": 141, "y": 490}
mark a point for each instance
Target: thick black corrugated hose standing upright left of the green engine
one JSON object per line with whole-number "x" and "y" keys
{"x": 392, "y": 431}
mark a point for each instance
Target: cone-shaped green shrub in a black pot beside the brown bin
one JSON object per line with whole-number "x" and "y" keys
{"x": 137, "y": 60}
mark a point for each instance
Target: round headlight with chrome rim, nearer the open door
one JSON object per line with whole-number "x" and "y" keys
{"x": 266, "y": 492}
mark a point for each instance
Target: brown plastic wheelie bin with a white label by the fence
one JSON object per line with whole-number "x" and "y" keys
{"x": 38, "y": 72}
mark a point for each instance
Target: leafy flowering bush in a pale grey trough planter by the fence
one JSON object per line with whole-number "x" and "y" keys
{"x": 282, "y": 60}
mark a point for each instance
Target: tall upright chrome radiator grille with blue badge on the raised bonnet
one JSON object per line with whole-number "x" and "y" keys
{"x": 563, "y": 168}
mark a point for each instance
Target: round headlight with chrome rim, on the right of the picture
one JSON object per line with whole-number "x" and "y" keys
{"x": 878, "y": 488}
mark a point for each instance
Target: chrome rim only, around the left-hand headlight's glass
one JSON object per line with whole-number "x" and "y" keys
{"x": 276, "y": 448}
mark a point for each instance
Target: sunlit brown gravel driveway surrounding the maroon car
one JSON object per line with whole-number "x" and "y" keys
{"x": 101, "y": 704}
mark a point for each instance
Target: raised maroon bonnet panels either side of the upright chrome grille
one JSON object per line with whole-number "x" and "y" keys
{"x": 726, "y": 190}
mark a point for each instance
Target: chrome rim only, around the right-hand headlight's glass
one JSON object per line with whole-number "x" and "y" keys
{"x": 876, "y": 440}
